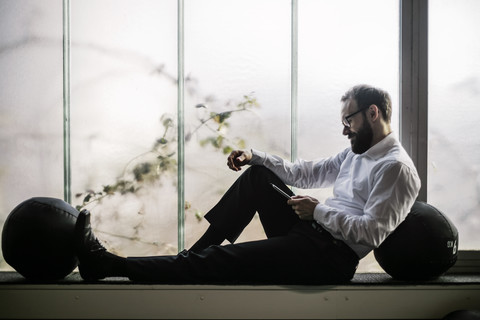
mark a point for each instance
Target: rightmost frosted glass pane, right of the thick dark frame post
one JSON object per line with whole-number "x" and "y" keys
{"x": 454, "y": 117}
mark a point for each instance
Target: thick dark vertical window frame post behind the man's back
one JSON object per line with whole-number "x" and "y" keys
{"x": 414, "y": 85}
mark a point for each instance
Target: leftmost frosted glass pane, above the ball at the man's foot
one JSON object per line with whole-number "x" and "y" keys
{"x": 31, "y": 127}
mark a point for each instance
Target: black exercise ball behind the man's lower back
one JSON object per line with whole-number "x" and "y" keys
{"x": 423, "y": 247}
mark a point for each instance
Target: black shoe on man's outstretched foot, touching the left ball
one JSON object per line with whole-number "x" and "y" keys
{"x": 92, "y": 256}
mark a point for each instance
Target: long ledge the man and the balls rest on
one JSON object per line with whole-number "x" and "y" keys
{"x": 366, "y": 296}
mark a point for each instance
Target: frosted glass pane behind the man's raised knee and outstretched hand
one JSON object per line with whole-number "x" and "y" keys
{"x": 233, "y": 49}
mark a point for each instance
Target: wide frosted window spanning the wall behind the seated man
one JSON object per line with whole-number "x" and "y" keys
{"x": 266, "y": 74}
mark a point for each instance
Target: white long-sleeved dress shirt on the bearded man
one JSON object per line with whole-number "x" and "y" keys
{"x": 373, "y": 192}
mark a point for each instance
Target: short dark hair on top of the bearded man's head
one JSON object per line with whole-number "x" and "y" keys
{"x": 366, "y": 95}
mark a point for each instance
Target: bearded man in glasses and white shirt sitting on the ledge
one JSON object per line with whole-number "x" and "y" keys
{"x": 308, "y": 242}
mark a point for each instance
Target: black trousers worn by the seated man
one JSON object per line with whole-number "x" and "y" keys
{"x": 295, "y": 251}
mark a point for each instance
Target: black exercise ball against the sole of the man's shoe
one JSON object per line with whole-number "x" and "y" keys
{"x": 37, "y": 239}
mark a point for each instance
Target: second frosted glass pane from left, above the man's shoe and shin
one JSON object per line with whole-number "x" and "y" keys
{"x": 124, "y": 101}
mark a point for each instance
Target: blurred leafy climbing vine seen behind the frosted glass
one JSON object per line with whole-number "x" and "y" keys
{"x": 161, "y": 160}
